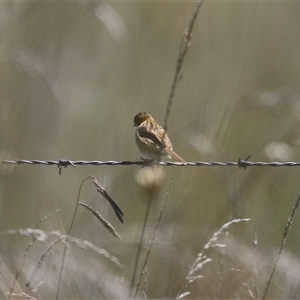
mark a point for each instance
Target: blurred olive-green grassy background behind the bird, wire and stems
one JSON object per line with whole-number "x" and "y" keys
{"x": 73, "y": 75}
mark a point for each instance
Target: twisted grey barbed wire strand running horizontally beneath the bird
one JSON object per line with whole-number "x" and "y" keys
{"x": 241, "y": 163}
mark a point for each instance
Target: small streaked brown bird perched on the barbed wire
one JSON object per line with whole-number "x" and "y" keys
{"x": 152, "y": 139}
